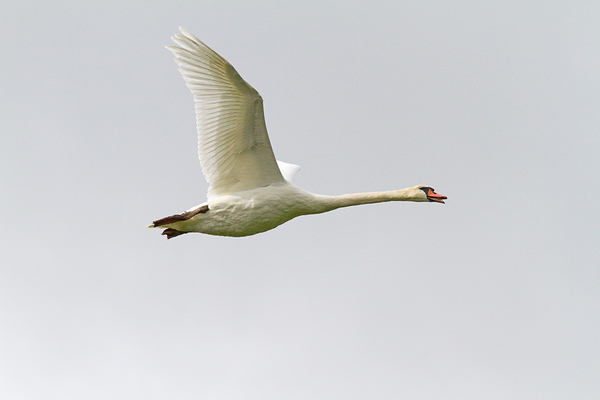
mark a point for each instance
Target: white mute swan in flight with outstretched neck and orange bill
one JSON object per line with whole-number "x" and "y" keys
{"x": 249, "y": 191}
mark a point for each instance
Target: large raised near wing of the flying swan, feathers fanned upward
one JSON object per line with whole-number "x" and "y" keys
{"x": 233, "y": 145}
